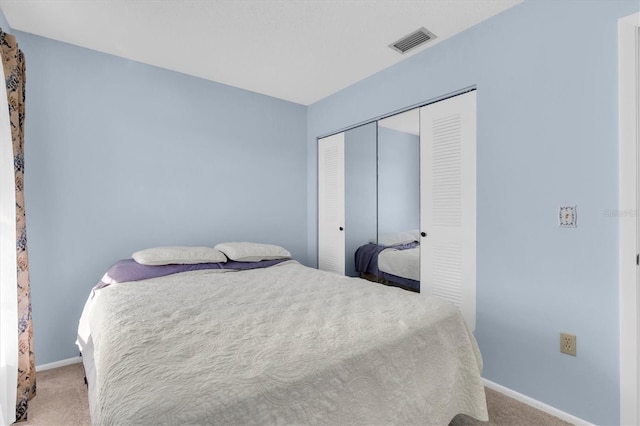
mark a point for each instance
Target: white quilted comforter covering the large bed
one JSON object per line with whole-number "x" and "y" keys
{"x": 282, "y": 345}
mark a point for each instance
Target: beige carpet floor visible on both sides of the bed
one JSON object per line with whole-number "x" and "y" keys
{"x": 62, "y": 401}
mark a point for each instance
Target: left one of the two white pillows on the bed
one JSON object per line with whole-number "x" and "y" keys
{"x": 178, "y": 255}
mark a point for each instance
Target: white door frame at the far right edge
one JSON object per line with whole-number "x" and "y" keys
{"x": 629, "y": 217}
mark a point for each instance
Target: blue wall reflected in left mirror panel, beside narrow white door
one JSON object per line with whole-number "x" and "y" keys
{"x": 360, "y": 191}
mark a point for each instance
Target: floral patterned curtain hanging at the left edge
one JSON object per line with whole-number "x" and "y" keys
{"x": 14, "y": 71}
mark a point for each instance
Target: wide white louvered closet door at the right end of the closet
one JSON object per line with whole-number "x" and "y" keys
{"x": 448, "y": 202}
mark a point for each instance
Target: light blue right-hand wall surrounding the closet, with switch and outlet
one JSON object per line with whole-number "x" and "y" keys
{"x": 547, "y": 135}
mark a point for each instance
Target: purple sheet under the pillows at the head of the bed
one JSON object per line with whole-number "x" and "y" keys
{"x": 130, "y": 270}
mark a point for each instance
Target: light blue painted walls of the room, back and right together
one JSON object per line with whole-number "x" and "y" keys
{"x": 122, "y": 156}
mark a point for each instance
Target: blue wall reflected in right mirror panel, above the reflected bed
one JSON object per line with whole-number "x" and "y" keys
{"x": 398, "y": 181}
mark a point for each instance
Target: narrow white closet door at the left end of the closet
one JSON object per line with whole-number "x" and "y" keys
{"x": 331, "y": 242}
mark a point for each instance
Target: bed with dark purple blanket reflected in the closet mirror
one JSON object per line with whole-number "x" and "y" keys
{"x": 394, "y": 260}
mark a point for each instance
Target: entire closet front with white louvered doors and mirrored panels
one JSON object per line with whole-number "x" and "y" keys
{"x": 402, "y": 190}
